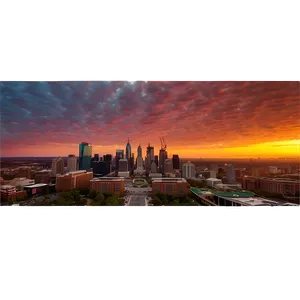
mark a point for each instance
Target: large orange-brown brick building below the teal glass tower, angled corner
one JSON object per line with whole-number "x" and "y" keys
{"x": 73, "y": 180}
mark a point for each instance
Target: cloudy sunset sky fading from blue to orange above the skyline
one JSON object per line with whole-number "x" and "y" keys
{"x": 198, "y": 119}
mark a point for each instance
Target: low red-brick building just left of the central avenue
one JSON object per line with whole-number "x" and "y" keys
{"x": 113, "y": 185}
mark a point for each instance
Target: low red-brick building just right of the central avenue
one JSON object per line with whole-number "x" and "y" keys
{"x": 170, "y": 186}
